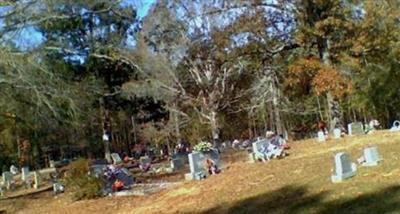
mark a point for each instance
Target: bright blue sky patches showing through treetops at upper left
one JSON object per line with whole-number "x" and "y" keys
{"x": 29, "y": 37}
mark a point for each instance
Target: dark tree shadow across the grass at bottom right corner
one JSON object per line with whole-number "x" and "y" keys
{"x": 297, "y": 199}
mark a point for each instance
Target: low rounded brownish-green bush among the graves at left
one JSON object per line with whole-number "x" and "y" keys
{"x": 81, "y": 183}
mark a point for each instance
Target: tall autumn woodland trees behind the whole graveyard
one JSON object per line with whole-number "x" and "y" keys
{"x": 189, "y": 69}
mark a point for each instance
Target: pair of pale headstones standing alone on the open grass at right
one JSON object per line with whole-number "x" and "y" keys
{"x": 344, "y": 168}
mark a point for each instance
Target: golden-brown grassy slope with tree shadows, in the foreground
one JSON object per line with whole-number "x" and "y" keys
{"x": 299, "y": 183}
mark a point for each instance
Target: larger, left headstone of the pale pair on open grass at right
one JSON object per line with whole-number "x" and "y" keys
{"x": 343, "y": 167}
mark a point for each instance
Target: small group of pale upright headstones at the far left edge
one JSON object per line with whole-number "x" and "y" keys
{"x": 8, "y": 178}
